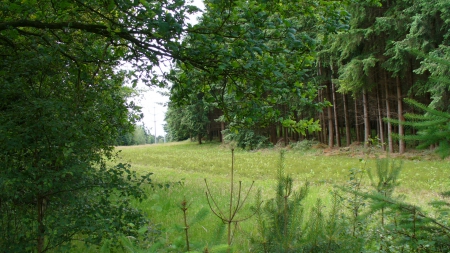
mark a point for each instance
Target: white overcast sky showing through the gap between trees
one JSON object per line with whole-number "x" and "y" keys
{"x": 153, "y": 103}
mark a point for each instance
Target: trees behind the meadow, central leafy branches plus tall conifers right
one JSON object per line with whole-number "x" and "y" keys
{"x": 340, "y": 66}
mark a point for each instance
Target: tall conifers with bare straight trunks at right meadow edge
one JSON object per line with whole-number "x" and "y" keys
{"x": 373, "y": 66}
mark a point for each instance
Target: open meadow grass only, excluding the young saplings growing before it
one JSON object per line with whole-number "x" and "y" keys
{"x": 180, "y": 170}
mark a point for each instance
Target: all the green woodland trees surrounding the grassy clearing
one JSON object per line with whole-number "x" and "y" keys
{"x": 256, "y": 72}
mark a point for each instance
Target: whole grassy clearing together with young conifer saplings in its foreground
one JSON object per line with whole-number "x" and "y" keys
{"x": 322, "y": 202}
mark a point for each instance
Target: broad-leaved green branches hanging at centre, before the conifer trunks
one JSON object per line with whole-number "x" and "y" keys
{"x": 257, "y": 60}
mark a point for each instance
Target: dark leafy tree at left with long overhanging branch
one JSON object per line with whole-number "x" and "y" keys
{"x": 63, "y": 104}
